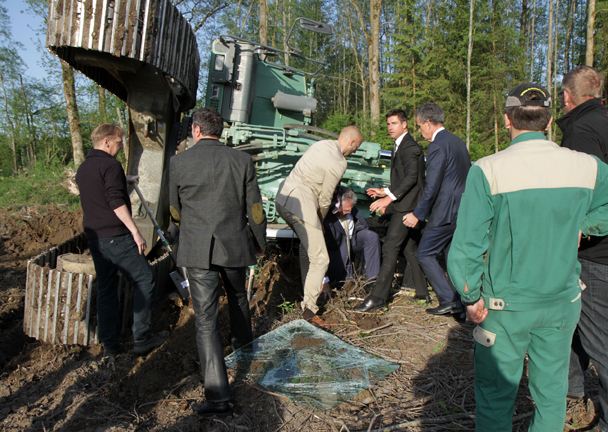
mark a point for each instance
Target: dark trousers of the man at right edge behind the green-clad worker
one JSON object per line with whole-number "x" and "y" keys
{"x": 591, "y": 336}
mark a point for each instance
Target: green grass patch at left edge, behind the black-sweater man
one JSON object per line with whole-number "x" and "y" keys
{"x": 40, "y": 186}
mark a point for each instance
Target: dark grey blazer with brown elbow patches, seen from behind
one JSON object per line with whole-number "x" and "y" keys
{"x": 214, "y": 192}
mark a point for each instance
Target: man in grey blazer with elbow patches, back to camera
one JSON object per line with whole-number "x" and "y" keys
{"x": 216, "y": 198}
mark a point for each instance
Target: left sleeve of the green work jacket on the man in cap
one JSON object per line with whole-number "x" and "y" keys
{"x": 471, "y": 240}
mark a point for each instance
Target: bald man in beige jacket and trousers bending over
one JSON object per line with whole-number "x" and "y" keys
{"x": 303, "y": 201}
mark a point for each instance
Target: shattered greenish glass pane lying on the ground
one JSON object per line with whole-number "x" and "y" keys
{"x": 308, "y": 365}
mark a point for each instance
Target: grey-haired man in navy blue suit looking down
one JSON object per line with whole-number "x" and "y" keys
{"x": 448, "y": 164}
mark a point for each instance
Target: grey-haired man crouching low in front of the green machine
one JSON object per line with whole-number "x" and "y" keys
{"x": 347, "y": 234}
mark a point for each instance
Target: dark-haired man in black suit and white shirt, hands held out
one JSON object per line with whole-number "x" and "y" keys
{"x": 407, "y": 184}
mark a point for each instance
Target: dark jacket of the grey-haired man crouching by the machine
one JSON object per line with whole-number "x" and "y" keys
{"x": 335, "y": 240}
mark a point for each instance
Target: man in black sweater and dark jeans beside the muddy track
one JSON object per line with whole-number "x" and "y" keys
{"x": 115, "y": 242}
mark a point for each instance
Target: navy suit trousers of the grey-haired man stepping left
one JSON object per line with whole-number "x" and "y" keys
{"x": 434, "y": 240}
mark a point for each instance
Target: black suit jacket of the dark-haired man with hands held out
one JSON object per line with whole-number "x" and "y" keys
{"x": 407, "y": 176}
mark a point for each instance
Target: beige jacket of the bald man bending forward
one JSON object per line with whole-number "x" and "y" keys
{"x": 308, "y": 189}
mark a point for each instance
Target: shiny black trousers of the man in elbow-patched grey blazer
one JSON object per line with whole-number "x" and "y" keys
{"x": 204, "y": 288}
